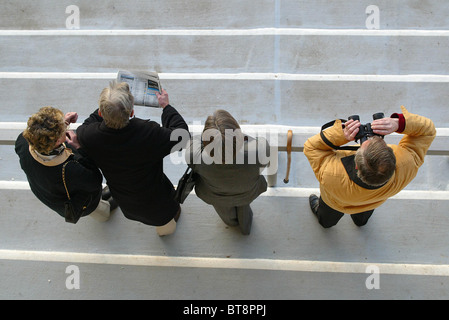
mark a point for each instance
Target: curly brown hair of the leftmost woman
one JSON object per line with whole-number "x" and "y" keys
{"x": 44, "y": 128}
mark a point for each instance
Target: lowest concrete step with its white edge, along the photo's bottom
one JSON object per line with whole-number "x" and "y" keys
{"x": 136, "y": 278}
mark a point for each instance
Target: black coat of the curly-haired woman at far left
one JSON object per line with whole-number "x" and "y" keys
{"x": 83, "y": 179}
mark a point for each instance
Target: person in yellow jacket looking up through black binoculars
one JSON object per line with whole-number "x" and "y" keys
{"x": 357, "y": 182}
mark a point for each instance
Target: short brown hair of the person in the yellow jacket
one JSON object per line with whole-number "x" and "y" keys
{"x": 376, "y": 163}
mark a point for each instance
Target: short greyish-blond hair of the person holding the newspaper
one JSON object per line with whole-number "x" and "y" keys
{"x": 116, "y": 105}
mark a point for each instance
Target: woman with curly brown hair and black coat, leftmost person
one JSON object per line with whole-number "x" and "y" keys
{"x": 51, "y": 166}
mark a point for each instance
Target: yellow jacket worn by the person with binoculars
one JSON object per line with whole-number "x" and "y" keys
{"x": 341, "y": 193}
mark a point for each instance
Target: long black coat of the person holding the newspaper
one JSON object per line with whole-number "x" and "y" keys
{"x": 131, "y": 160}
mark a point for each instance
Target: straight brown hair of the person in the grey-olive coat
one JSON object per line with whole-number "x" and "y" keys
{"x": 223, "y": 125}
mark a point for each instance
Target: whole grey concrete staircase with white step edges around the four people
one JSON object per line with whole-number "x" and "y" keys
{"x": 277, "y": 65}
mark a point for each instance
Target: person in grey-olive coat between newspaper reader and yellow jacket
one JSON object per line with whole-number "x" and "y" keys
{"x": 228, "y": 168}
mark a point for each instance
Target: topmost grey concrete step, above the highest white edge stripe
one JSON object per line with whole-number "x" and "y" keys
{"x": 216, "y": 14}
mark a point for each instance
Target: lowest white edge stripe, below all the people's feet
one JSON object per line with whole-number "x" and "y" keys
{"x": 224, "y": 263}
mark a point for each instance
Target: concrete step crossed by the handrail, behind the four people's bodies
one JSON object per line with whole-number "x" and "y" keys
{"x": 433, "y": 174}
